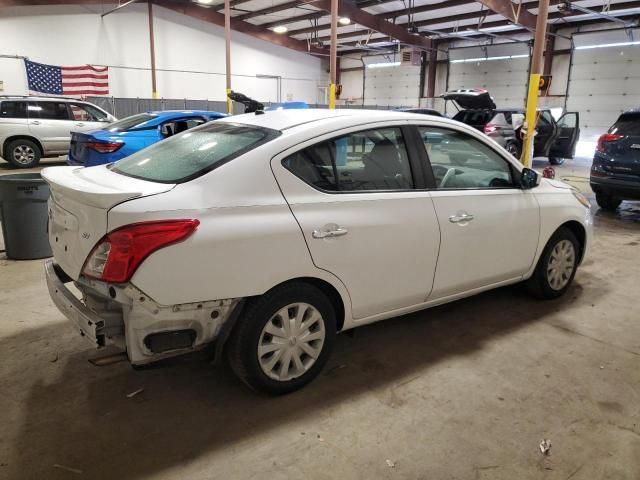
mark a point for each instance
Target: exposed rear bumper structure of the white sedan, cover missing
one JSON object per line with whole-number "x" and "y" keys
{"x": 123, "y": 316}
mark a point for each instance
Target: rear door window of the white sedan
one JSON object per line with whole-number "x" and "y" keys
{"x": 362, "y": 161}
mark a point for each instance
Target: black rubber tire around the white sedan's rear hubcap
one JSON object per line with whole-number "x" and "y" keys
{"x": 242, "y": 347}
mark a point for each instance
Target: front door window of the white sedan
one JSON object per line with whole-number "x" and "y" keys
{"x": 461, "y": 161}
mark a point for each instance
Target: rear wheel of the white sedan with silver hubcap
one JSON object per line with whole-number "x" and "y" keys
{"x": 283, "y": 339}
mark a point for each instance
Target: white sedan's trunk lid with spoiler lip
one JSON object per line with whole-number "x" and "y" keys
{"x": 78, "y": 208}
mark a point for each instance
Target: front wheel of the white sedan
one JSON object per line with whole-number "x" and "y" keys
{"x": 557, "y": 266}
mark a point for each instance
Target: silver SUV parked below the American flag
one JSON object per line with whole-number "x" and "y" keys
{"x": 36, "y": 127}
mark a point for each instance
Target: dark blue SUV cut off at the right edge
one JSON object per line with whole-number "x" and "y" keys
{"x": 615, "y": 172}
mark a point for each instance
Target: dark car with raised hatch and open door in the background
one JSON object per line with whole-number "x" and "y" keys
{"x": 554, "y": 140}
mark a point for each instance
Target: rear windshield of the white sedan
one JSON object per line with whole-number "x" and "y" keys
{"x": 193, "y": 153}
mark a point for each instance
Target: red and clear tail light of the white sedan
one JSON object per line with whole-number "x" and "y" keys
{"x": 117, "y": 256}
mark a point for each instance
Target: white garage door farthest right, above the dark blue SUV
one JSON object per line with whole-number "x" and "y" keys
{"x": 604, "y": 80}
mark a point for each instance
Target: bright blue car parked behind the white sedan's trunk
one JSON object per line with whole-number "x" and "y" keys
{"x": 124, "y": 137}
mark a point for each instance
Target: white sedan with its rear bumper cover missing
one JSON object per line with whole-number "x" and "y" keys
{"x": 269, "y": 233}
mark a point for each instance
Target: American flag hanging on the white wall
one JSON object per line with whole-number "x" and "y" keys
{"x": 68, "y": 81}
